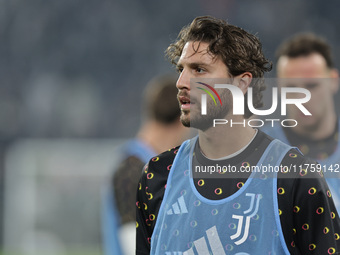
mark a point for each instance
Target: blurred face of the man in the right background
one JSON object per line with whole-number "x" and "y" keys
{"x": 309, "y": 72}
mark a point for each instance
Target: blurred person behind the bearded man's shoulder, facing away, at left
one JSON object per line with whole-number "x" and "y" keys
{"x": 161, "y": 130}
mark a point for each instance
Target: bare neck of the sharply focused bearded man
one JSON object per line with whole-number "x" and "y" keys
{"x": 221, "y": 141}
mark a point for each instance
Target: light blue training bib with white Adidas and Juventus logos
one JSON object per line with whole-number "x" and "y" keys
{"x": 246, "y": 222}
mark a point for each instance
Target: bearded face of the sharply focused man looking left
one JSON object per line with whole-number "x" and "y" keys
{"x": 197, "y": 62}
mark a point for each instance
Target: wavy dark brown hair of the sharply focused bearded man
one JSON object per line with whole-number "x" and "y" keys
{"x": 239, "y": 50}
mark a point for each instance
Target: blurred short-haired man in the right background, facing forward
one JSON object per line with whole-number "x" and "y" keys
{"x": 305, "y": 61}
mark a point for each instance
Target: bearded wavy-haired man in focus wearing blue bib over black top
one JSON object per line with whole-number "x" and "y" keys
{"x": 182, "y": 210}
